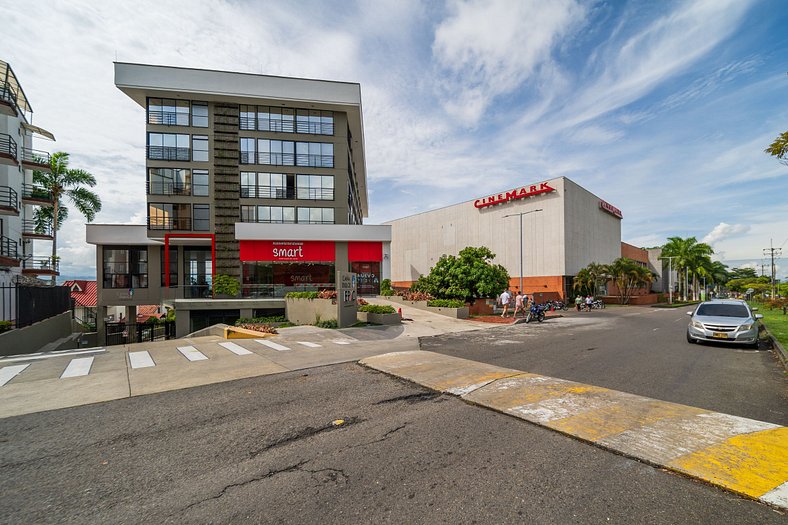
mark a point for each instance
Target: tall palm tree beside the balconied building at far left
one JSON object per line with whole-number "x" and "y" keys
{"x": 65, "y": 182}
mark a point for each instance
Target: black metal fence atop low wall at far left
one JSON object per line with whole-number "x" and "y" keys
{"x": 25, "y": 305}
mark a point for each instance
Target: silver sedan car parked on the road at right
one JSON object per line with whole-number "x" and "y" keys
{"x": 726, "y": 321}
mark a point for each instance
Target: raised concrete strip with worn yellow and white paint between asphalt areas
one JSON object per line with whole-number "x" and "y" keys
{"x": 738, "y": 454}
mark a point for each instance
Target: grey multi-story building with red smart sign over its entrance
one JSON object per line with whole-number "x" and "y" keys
{"x": 254, "y": 177}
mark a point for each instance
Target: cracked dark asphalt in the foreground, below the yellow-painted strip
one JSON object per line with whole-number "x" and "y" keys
{"x": 264, "y": 450}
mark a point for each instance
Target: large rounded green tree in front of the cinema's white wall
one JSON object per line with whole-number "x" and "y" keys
{"x": 469, "y": 275}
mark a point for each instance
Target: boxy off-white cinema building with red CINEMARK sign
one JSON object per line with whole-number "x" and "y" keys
{"x": 561, "y": 227}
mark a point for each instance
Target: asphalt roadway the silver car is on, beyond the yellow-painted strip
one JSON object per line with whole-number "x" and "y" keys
{"x": 638, "y": 350}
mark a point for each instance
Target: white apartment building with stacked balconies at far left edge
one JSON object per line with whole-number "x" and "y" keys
{"x": 20, "y": 236}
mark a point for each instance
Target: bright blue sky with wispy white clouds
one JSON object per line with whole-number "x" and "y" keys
{"x": 661, "y": 108}
